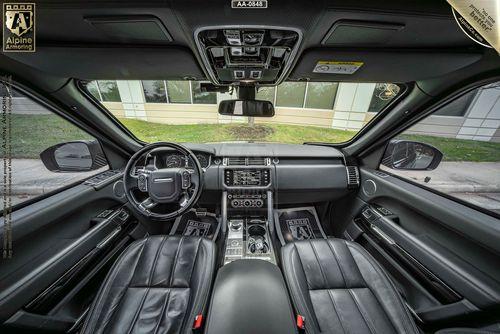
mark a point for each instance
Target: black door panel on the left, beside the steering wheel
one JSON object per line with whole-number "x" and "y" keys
{"x": 60, "y": 246}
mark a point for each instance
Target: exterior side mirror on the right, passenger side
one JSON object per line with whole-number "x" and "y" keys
{"x": 411, "y": 155}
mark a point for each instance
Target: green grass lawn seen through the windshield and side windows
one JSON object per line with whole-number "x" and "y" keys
{"x": 33, "y": 134}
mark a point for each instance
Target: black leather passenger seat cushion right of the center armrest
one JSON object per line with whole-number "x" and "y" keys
{"x": 339, "y": 288}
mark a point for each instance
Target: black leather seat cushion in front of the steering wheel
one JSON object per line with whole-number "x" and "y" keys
{"x": 158, "y": 285}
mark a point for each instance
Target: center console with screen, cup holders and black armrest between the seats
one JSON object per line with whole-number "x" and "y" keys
{"x": 249, "y": 295}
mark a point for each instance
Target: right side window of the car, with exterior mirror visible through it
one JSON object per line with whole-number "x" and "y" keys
{"x": 456, "y": 150}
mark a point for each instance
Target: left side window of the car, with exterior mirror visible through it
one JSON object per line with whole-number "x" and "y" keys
{"x": 47, "y": 153}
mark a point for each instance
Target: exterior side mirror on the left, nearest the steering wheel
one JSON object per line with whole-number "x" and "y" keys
{"x": 74, "y": 156}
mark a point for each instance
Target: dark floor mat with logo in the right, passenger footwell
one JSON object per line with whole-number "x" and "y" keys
{"x": 296, "y": 224}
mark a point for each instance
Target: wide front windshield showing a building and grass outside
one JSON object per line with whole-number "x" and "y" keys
{"x": 179, "y": 111}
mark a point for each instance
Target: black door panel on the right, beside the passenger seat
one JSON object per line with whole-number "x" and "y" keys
{"x": 443, "y": 255}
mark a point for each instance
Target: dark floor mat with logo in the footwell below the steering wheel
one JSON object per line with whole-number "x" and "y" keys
{"x": 197, "y": 223}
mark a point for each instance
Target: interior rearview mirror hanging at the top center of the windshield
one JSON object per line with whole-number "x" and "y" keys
{"x": 250, "y": 108}
